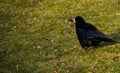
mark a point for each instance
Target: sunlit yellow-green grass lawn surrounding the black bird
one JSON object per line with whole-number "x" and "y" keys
{"x": 36, "y": 37}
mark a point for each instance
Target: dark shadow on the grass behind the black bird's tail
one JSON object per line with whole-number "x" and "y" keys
{"x": 115, "y": 36}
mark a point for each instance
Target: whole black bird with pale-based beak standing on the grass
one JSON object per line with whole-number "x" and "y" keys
{"x": 88, "y": 34}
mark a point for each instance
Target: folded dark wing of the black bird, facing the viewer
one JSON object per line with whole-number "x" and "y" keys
{"x": 94, "y": 34}
